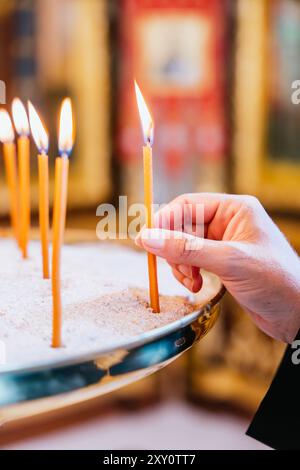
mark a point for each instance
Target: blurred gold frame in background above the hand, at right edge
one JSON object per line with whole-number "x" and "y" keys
{"x": 275, "y": 182}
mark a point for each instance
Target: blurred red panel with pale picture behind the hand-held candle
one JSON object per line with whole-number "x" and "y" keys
{"x": 176, "y": 52}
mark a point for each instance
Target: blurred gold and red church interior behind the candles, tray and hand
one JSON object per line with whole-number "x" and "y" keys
{"x": 217, "y": 75}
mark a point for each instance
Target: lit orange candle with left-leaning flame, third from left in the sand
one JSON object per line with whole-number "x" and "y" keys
{"x": 41, "y": 139}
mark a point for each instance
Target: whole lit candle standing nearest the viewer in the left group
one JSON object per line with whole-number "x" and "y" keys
{"x": 65, "y": 144}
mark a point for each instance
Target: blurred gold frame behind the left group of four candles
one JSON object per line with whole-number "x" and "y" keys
{"x": 77, "y": 61}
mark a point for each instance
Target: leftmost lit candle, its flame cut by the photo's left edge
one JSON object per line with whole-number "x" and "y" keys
{"x": 7, "y": 137}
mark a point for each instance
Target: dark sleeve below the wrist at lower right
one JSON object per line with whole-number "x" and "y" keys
{"x": 277, "y": 421}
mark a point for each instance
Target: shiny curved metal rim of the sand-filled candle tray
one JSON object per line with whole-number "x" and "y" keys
{"x": 46, "y": 386}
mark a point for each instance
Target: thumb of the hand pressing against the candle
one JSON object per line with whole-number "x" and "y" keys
{"x": 183, "y": 248}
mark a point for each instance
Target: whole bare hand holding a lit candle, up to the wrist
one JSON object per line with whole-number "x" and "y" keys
{"x": 243, "y": 246}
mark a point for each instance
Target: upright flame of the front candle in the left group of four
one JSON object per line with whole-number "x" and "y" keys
{"x": 65, "y": 139}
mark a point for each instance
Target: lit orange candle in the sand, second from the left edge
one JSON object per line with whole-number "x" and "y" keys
{"x": 22, "y": 128}
